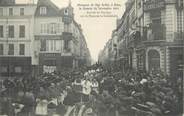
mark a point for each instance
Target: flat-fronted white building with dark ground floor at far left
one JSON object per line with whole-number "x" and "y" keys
{"x": 16, "y": 38}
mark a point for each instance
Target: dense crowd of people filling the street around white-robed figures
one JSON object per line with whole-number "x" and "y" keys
{"x": 92, "y": 91}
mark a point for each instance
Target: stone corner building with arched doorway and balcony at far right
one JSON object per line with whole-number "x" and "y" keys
{"x": 164, "y": 41}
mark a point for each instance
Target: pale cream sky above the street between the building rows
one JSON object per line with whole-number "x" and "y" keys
{"x": 98, "y": 30}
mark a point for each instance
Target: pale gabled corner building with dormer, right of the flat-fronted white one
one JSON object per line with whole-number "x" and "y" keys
{"x": 58, "y": 37}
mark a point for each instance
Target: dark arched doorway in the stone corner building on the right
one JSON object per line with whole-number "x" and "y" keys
{"x": 153, "y": 60}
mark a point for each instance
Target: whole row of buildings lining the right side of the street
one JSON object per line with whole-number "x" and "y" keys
{"x": 150, "y": 36}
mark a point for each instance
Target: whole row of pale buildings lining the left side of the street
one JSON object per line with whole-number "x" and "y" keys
{"x": 38, "y": 38}
